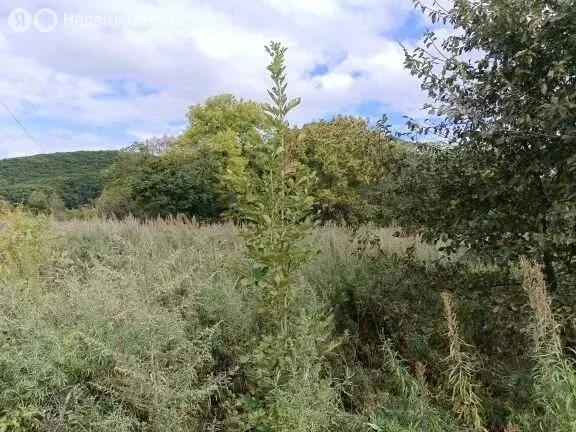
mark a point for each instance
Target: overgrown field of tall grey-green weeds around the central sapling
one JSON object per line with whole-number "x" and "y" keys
{"x": 124, "y": 326}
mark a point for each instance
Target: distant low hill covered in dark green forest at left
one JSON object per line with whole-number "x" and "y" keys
{"x": 76, "y": 176}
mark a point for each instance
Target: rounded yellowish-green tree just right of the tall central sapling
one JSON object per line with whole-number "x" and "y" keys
{"x": 349, "y": 157}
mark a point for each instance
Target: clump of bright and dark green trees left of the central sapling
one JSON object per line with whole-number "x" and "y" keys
{"x": 196, "y": 174}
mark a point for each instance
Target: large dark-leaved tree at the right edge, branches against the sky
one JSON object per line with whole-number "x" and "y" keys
{"x": 503, "y": 90}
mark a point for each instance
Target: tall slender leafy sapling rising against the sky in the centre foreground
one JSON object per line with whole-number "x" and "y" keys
{"x": 278, "y": 205}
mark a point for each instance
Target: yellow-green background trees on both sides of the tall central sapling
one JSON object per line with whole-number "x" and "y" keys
{"x": 201, "y": 172}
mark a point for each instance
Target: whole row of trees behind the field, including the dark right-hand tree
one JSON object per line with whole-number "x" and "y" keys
{"x": 503, "y": 188}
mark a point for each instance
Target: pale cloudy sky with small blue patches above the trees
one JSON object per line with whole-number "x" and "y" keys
{"x": 84, "y": 74}
